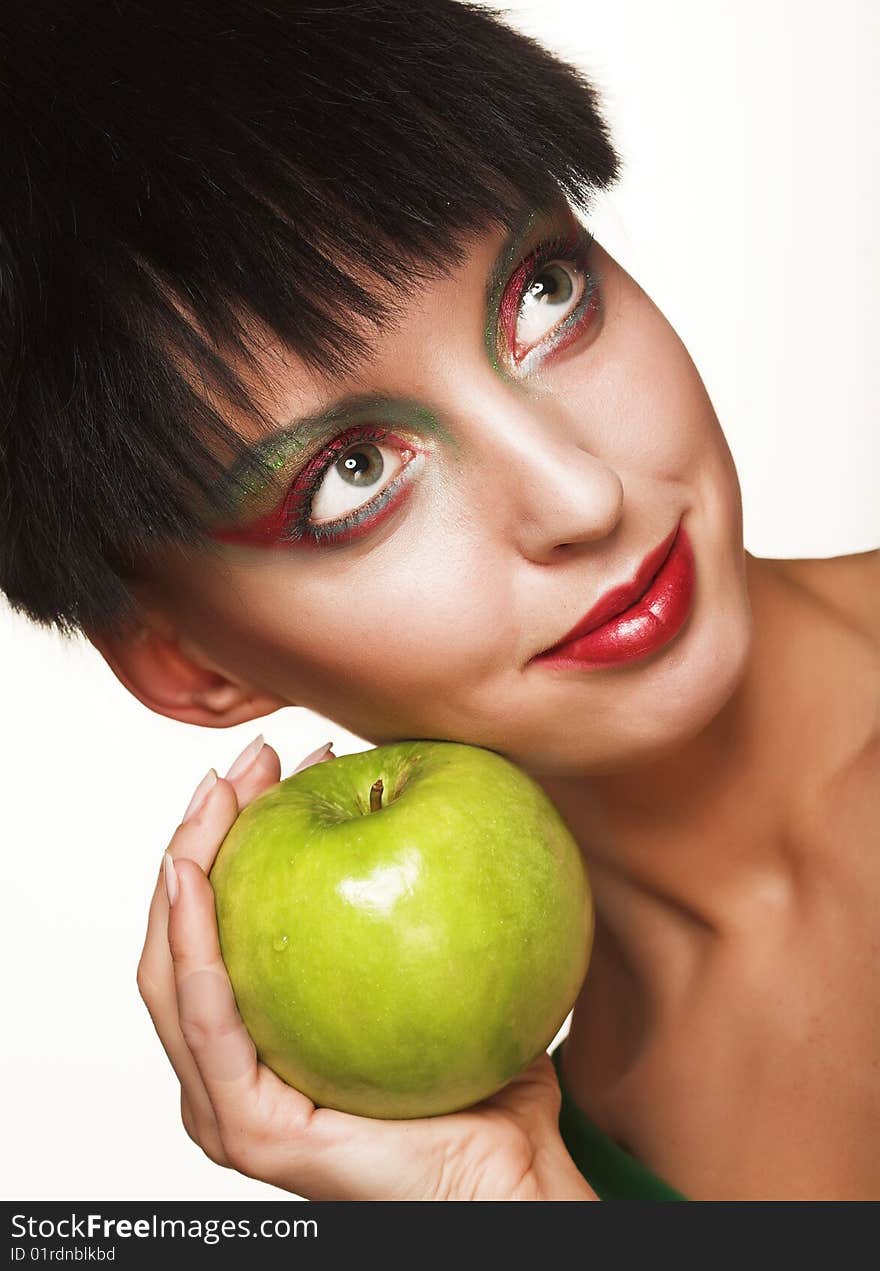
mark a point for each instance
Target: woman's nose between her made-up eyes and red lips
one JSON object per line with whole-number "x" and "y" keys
{"x": 556, "y": 494}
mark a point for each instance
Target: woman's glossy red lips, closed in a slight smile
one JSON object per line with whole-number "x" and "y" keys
{"x": 639, "y": 618}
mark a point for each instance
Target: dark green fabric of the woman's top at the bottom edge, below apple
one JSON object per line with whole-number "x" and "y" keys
{"x": 611, "y": 1172}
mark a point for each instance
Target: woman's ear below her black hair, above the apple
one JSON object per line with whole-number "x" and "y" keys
{"x": 175, "y": 678}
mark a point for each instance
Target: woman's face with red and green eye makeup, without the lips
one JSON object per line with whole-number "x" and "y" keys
{"x": 533, "y": 453}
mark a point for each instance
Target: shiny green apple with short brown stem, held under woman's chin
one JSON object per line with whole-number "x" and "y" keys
{"x": 405, "y": 928}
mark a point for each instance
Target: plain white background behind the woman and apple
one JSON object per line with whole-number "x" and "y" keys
{"x": 747, "y": 210}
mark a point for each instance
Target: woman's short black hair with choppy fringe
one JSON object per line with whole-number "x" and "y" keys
{"x": 172, "y": 171}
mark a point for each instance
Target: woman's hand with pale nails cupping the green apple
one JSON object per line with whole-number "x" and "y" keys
{"x": 244, "y": 1117}
